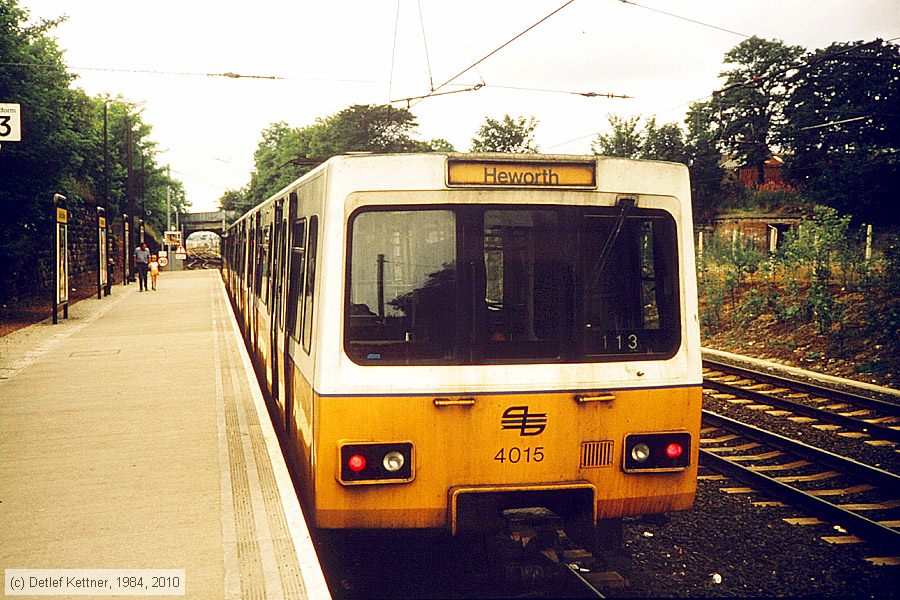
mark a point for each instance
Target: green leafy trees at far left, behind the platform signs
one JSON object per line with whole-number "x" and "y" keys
{"x": 61, "y": 152}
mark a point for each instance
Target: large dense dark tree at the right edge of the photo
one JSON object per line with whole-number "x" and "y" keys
{"x": 843, "y": 128}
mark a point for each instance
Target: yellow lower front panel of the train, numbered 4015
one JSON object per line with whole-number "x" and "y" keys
{"x": 502, "y": 442}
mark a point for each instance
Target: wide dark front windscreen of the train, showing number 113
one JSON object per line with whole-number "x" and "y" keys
{"x": 491, "y": 284}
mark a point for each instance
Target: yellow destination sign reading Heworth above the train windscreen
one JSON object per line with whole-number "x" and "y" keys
{"x": 521, "y": 173}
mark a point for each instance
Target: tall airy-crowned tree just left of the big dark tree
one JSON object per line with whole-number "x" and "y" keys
{"x": 750, "y": 106}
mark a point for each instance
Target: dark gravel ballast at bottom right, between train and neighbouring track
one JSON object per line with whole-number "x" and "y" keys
{"x": 752, "y": 550}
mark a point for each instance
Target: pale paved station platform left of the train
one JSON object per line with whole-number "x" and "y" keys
{"x": 133, "y": 436}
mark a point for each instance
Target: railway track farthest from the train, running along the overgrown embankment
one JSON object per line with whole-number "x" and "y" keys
{"x": 874, "y": 419}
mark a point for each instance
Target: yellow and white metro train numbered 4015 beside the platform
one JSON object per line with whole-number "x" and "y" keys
{"x": 446, "y": 337}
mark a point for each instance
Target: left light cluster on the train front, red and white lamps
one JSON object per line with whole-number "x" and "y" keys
{"x": 375, "y": 462}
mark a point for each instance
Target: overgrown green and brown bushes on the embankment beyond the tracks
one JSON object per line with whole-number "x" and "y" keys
{"x": 817, "y": 286}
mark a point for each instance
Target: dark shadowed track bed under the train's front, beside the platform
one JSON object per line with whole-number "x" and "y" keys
{"x": 533, "y": 558}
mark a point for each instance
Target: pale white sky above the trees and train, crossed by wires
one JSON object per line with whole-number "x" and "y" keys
{"x": 337, "y": 53}
